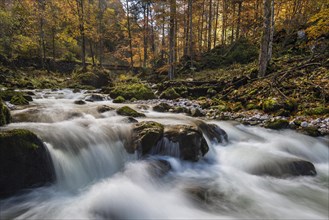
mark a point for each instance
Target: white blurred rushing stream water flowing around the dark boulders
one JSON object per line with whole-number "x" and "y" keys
{"x": 97, "y": 179}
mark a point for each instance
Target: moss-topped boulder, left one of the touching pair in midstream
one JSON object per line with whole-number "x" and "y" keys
{"x": 146, "y": 135}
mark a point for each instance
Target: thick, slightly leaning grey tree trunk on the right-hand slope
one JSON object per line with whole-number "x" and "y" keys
{"x": 265, "y": 41}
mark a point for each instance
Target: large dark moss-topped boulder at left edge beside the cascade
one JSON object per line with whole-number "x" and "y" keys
{"x": 24, "y": 161}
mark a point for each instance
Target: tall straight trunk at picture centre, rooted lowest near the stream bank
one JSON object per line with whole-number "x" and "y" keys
{"x": 172, "y": 39}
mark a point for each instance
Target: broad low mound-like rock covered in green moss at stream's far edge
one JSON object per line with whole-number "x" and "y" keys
{"x": 129, "y": 91}
